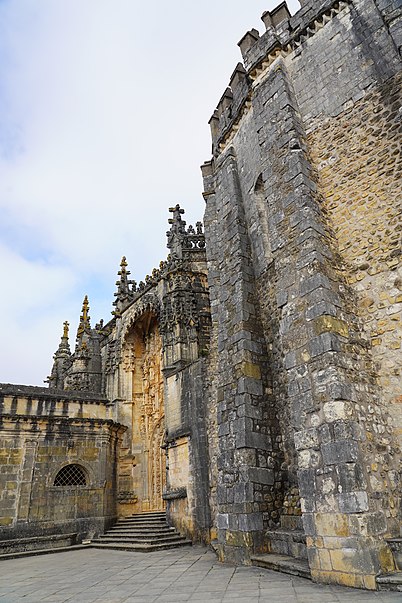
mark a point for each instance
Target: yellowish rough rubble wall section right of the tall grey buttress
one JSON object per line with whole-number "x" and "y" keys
{"x": 367, "y": 219}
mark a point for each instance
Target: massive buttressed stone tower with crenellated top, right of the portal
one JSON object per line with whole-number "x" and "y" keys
{"x": 304, "y": 279}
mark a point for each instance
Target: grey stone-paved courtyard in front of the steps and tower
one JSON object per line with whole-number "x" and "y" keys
{"x": 188, "y": 574}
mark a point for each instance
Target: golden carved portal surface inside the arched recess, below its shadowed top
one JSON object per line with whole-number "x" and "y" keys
{"x": 142, "y": 357}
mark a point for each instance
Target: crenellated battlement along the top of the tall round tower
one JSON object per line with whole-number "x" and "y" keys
{"x": 285, "y": 34}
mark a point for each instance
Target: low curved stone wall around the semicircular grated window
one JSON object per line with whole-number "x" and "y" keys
{"x": 40, "y": 434}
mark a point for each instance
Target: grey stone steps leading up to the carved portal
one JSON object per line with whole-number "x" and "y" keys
{"x": 144, "y": 532}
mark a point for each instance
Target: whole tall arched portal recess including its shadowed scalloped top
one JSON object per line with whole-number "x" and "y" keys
{"x": 143, "y": 469}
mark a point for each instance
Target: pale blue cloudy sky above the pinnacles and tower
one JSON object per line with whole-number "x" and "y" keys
{"x": 104, "y": 107}
